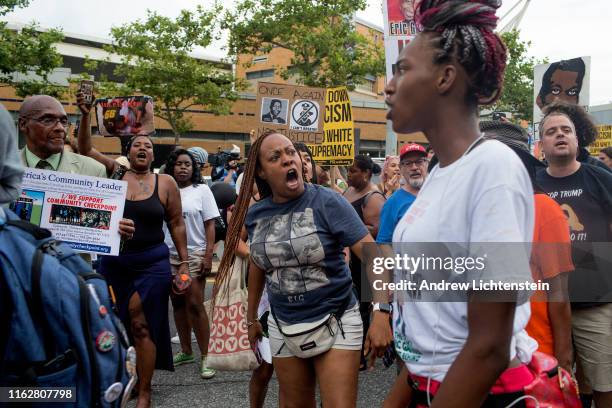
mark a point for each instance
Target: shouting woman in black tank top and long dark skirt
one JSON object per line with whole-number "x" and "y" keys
{"x": 140, "y": 276}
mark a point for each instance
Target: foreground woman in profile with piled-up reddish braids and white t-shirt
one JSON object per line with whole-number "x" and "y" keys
{"x": 470, "y": 352}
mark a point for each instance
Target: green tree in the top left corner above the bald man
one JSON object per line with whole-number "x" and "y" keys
{"x": 27, "y": 51}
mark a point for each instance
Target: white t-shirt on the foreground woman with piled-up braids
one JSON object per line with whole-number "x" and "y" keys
{"x": 485, "y": 196}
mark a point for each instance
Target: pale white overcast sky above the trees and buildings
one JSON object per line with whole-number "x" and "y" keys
{"x": 557, "y": 29}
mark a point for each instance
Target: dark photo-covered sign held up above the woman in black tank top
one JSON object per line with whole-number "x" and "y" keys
{"x": 125, "y": 116}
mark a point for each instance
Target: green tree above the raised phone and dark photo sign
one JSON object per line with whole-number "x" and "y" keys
{"x": 156, "y": 61}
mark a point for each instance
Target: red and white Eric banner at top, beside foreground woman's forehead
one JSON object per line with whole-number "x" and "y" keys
{"x": 400, "y": 29}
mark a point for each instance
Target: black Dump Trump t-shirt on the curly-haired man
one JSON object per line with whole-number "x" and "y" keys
{"x": 586, "y": 200}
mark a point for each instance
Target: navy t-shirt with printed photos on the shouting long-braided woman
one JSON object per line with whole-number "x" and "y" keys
{"x": 299, "y": 244}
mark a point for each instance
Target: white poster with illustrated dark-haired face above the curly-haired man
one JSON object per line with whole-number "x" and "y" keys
{"x": 565, "y": 80}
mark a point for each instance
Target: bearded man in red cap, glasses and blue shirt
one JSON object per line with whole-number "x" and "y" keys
{"x": 413, "y": 168}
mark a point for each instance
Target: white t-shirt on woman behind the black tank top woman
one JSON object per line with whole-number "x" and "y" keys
{"x": 199, "y": 206}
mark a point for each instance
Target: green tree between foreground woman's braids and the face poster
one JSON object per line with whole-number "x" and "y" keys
{"x": 517, "y": 96}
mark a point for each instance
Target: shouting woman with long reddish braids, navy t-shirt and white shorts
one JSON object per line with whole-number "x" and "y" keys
{"x": 297, "y": 233}
